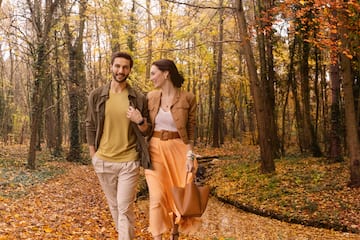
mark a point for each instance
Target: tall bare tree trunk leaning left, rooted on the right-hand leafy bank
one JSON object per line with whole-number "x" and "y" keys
{"x": 266, "y": 153}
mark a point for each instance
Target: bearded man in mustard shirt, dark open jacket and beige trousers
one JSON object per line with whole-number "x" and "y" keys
{"x": 117, "y": 118}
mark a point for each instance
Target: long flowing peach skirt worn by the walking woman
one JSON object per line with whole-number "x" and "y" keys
{"x": 169, "y": 169}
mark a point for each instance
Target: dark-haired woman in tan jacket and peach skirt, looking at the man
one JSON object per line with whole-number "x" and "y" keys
{"x": 172, "y": 112}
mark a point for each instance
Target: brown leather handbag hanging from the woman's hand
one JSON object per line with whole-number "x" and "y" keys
{"x": 192, "y": 199}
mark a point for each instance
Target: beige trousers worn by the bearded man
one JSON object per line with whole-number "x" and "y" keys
{"x": 118, "y": 182}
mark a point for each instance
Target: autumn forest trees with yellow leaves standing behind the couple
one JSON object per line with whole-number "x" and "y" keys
{"x": 283, "y": 75}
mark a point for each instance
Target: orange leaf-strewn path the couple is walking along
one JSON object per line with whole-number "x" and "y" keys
{"x": 73, "y": 207}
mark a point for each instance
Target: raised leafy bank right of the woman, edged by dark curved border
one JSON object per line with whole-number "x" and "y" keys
{"x": 303, "y": 190}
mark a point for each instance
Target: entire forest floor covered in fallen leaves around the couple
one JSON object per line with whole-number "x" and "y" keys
{"x": 63, "y": 200}
